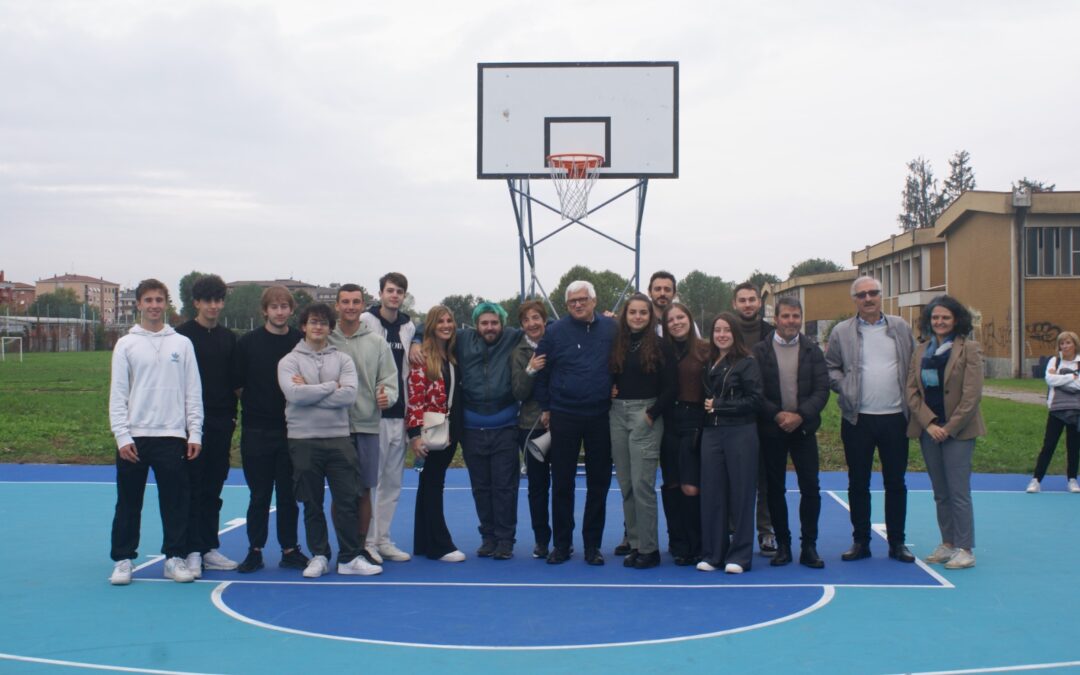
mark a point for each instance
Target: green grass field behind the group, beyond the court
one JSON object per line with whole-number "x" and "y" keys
{"x": 55, "y": 410}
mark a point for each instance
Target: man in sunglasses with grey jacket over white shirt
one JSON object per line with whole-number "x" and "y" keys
{"x": 868, "y": 362}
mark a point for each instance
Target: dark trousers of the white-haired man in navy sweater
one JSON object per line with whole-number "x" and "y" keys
{"x": 569, "y": 433}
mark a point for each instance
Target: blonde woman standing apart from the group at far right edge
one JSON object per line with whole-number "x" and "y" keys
{"x": 1064, "y": 403}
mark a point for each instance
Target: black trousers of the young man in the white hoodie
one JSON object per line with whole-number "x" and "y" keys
{"x": 167, "y": 456}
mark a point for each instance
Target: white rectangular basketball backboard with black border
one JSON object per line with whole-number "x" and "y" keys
{"x": 626, "y": 112}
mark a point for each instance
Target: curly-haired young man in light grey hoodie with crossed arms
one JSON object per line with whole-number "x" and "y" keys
{"x": 320, "y": 387}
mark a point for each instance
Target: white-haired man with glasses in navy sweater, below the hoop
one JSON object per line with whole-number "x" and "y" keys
{"x": 575, "y": 394}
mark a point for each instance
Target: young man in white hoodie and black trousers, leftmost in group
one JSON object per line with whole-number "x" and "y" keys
{"x": 156, "y": 412}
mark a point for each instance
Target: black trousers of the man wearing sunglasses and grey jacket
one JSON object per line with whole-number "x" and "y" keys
{"x": 888, "y": 434}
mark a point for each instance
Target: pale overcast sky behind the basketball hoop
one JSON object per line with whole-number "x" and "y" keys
{"x": 334, "y": 141}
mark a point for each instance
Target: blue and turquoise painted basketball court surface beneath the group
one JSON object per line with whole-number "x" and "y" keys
{"x": 1019, "y": 610}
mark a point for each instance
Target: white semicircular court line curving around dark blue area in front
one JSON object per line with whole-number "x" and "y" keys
{"x": 828, "y": 595}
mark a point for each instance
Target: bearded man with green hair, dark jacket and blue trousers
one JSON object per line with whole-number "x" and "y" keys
{"x": 490, "y": 440}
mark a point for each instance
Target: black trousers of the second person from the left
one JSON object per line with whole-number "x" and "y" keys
{"x": 207, "y": 476}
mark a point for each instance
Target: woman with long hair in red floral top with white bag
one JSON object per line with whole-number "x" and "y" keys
{"x": 428, "y": 394}
